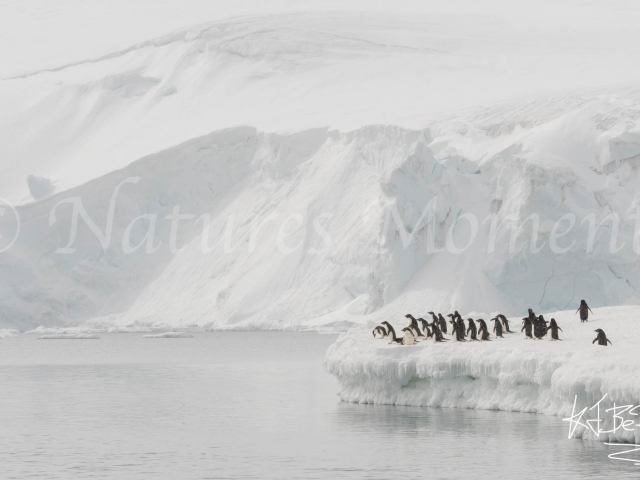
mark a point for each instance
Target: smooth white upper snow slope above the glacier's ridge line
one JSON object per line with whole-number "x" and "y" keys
{"x": 285, "y": 73}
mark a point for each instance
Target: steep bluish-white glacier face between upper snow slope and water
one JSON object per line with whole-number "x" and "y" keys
{"x": 347, "y": 202}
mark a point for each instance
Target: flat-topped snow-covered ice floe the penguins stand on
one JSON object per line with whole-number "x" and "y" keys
{"x": 512, "y": 374}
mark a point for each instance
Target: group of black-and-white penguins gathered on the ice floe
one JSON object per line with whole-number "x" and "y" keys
{"x": 535, "y": 328}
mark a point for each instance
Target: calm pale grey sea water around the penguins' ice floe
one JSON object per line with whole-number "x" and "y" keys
{"x": 248, "y": 405}
